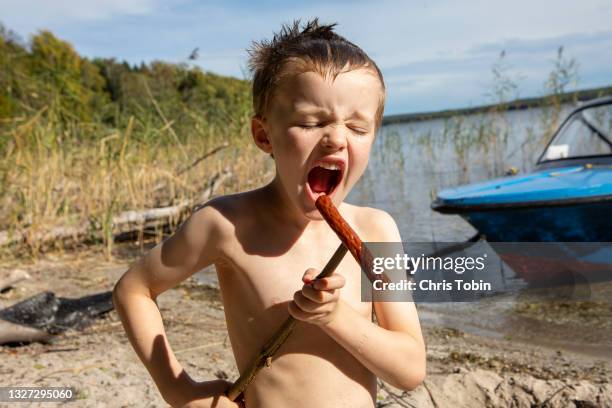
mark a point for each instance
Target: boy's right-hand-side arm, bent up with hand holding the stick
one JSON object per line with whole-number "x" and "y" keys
{"x": 394, "y": 350}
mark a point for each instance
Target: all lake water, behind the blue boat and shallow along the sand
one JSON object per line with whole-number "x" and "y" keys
{"x": 411, "y": 162}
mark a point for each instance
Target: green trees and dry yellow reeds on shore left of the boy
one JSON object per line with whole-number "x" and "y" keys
{"x": 83, "y": 140}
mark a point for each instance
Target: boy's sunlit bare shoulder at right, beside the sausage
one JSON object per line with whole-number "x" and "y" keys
{"x": 371, "y": 224}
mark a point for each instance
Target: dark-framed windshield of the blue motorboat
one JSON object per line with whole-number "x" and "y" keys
{"x": 587, "y": 133}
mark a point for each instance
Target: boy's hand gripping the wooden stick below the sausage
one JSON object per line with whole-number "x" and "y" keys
{"x": 317, "y": 302}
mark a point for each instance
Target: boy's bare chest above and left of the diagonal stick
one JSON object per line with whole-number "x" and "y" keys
{"x": 256, "y": 289}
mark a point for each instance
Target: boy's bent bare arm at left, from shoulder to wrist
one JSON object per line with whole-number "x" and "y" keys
{"x": 191, "y": 248}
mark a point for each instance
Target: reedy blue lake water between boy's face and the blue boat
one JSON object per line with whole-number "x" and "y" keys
{"x": 411, "y": 162}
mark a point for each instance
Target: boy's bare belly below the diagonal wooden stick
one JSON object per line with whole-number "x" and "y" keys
{"x": 312, "y": 370}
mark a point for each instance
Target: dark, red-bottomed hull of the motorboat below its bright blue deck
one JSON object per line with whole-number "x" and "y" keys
{"x": 557, "y": 226}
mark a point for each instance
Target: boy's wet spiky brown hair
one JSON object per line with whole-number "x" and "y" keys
{"x": 292, "y": 51}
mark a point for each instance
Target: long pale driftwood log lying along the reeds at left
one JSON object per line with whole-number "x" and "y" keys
{"x": 126, "y": 222}
